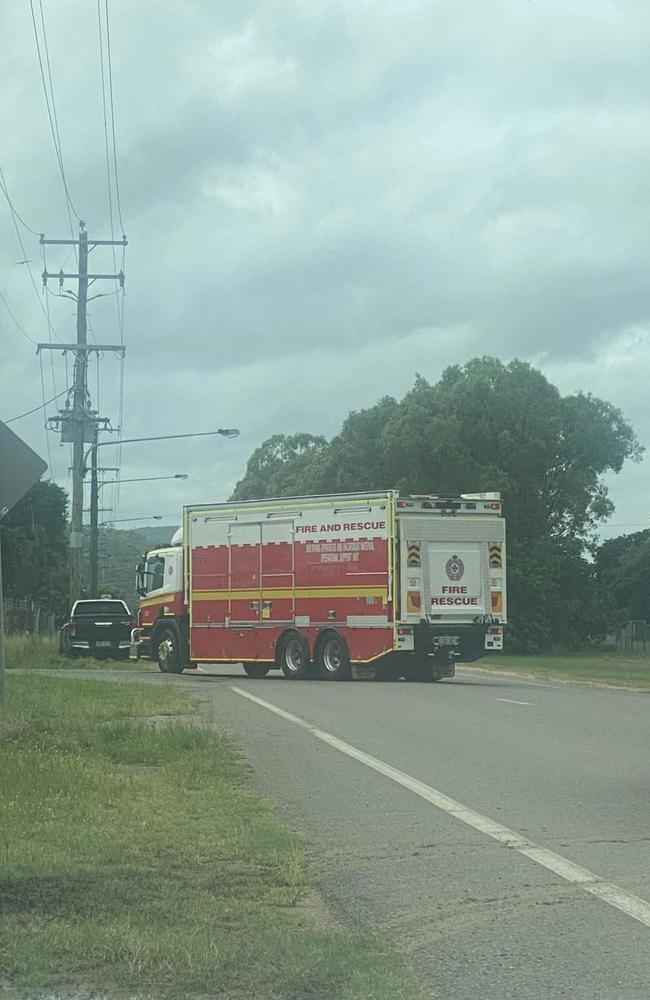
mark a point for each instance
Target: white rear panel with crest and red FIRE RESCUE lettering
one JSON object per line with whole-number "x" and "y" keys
{"x": 456, "y": 580}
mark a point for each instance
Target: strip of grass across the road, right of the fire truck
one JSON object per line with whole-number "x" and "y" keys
{"x": 598, "y": 666}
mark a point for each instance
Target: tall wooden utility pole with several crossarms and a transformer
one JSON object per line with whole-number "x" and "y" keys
{"x": 80, "y": 425}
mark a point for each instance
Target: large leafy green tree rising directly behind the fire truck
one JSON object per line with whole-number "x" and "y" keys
{"x": 485, "y": 426}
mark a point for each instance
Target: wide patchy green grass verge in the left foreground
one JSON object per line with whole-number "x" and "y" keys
{"x": 134, "y": 857}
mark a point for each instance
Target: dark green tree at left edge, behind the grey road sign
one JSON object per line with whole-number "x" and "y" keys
{"x": 35, "y": 547}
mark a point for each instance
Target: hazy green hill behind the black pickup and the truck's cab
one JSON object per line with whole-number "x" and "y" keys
{"x": 119, "y": 554}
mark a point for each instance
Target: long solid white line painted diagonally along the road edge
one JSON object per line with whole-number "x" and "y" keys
{"x": 633, "y": 906}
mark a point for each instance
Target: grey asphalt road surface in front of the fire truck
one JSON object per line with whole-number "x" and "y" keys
{"x": 566, "y": 767}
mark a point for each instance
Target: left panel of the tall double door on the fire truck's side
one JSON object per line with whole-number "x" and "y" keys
{"x": 244, "y": 573}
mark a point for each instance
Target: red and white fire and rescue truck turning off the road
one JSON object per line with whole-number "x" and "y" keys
{"x": 346, "y": 586}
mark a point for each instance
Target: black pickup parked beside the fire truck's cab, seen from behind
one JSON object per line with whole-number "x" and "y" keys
{"x": 99, "y": 628}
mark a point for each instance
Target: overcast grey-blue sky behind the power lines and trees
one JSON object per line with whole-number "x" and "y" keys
{"x": 322, "y": 198}
